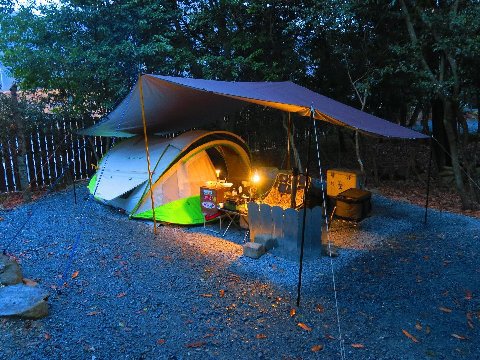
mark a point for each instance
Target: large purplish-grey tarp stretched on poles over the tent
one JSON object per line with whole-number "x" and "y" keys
{"x": 173, "y": 104}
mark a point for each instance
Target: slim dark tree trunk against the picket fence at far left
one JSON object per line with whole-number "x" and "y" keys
{"x": 21, "y": 149}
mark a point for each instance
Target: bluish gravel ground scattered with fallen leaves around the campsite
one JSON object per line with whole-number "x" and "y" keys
{"x": 405, "y": 290}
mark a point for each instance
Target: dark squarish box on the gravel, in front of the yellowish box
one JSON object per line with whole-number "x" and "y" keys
{"x": 353, "y": 204}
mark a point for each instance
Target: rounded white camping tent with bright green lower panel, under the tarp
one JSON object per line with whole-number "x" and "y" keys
{"x": 180, "y": 165}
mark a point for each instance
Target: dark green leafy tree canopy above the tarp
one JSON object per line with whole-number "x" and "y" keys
{"x": 392, "y": 58}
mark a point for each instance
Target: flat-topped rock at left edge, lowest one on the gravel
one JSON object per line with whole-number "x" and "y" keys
{"x": 23, "y": 301}
